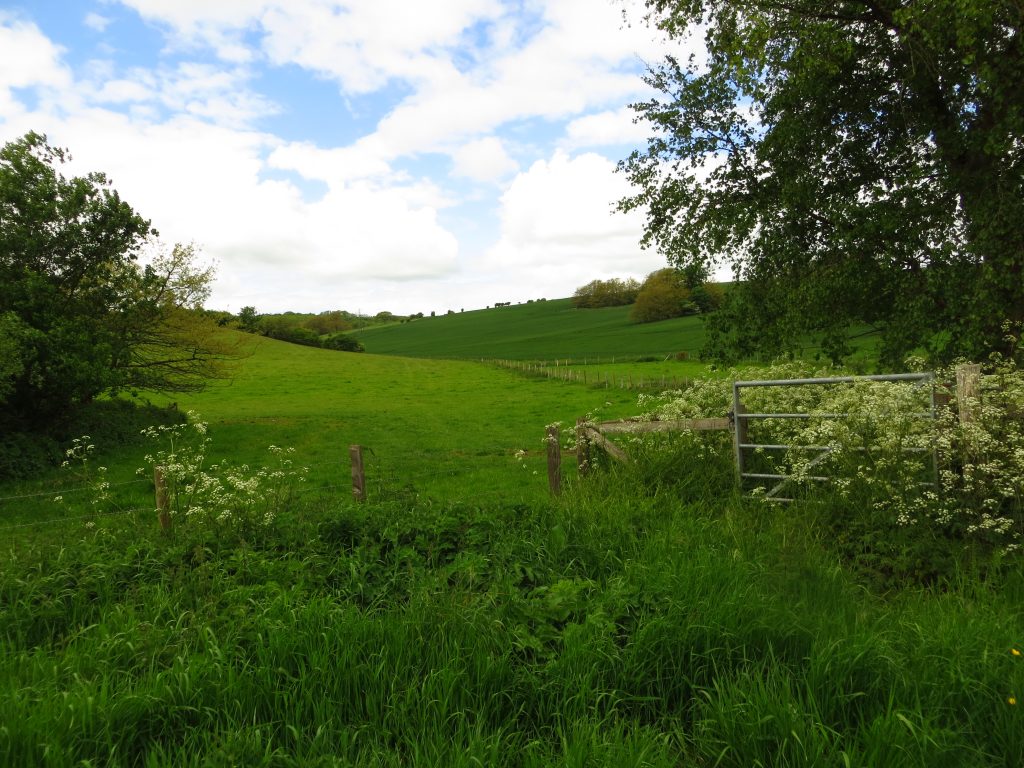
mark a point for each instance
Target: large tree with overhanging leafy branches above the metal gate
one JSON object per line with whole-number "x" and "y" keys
{"x": 858, "y": 162}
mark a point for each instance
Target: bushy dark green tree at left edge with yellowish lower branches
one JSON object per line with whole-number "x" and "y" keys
{"x": 79, "y": 317}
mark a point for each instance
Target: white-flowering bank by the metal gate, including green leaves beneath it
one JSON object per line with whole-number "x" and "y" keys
{"x": 884, "y": 506}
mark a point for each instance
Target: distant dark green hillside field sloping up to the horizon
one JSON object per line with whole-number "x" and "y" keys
{"x": 543, "y": 330}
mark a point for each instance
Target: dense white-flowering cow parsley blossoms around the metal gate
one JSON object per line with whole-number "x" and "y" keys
{"x": 944, "y": 472}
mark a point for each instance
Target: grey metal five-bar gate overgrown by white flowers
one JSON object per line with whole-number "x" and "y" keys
{"x": 742, "y": 420}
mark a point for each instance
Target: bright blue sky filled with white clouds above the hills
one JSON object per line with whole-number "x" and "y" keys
{"x": 361, "y": 155}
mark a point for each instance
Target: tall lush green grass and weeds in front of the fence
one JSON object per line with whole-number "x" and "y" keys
{"x": 617, "y": 626}
